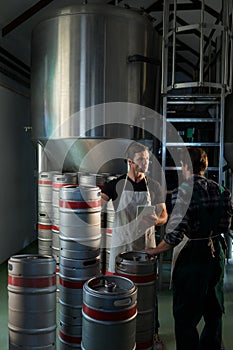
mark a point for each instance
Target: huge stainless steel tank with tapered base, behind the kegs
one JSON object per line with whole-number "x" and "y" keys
{"x": 84, "y": 56}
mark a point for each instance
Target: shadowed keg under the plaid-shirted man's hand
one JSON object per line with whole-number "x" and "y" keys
{"x": 140, "y": 268}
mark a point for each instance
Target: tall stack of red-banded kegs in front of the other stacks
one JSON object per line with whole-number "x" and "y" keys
{"x": 80, "y": 235}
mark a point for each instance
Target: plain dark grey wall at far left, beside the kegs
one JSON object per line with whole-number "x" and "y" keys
{"x": 17, "y": 168}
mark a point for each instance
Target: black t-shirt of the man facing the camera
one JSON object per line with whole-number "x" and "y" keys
{"x": 114, "y": 188}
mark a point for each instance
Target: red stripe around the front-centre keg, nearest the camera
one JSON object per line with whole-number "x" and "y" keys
{"x": 109, "y": 316}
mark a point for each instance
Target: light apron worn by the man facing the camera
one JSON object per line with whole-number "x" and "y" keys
{"x": 128, "y": 232}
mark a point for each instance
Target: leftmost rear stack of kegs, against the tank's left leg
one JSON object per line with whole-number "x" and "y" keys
{"x": 45, "y": 213}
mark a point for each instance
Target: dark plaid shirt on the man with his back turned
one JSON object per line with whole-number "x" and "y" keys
{"x": 201, "y": 208}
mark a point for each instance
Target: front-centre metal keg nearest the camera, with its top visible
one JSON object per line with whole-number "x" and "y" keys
{"x": 109, "y": 313}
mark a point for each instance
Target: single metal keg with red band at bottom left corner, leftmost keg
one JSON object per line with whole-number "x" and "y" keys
{"x": 32, "y": 302}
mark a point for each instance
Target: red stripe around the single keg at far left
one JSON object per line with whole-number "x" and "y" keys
{"x": 27, "y": 282}
